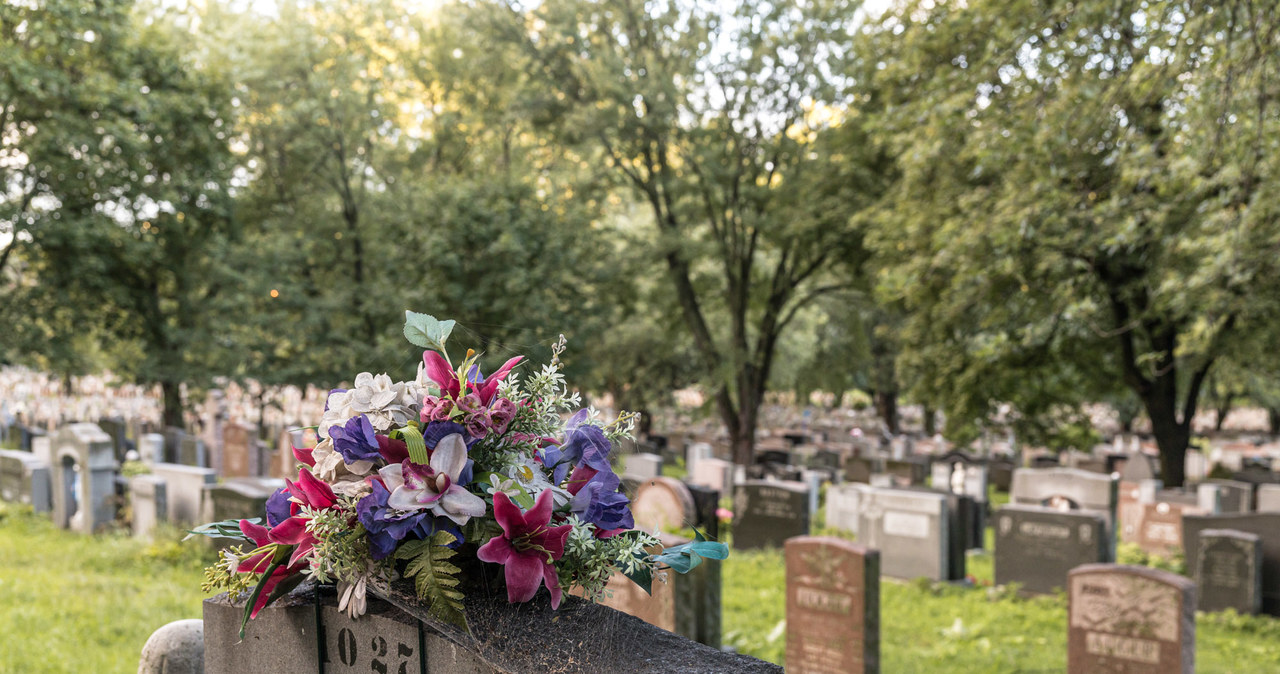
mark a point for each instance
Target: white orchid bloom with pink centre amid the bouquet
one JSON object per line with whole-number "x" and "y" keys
{"x": 435, "y": 487}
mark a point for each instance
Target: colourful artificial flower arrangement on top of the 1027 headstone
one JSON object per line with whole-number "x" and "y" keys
{"x": 450, "y": 464}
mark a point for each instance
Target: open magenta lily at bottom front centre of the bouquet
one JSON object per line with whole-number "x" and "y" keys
{"x": 527, "y": 548}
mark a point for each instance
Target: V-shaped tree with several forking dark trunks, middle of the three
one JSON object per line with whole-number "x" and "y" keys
{"x": 710, "y": 117}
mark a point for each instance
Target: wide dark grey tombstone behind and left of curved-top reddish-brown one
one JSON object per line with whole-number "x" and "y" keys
{"x": 1037, "y": 547}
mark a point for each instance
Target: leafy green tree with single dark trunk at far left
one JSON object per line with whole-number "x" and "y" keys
{"x": 117, "y": 177}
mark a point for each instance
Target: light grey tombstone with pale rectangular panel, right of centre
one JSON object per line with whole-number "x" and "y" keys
{"x": 912, "y": 531}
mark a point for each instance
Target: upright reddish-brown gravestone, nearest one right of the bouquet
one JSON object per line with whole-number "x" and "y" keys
{"x": 833, "y": 607}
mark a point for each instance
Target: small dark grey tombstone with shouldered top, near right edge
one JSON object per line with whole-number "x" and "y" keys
{"x": 1229, "y": 571}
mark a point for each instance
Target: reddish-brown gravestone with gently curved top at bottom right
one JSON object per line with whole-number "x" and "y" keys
{"x": 1131, "y": 620}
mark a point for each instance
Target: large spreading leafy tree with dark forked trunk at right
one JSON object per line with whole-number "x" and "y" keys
{"x": 1086, "y": 199}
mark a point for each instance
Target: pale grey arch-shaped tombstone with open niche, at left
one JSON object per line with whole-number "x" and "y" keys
{"x": 84, "y": 478}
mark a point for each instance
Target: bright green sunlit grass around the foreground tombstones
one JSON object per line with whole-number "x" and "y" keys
{"x": 88, "y": 604}
